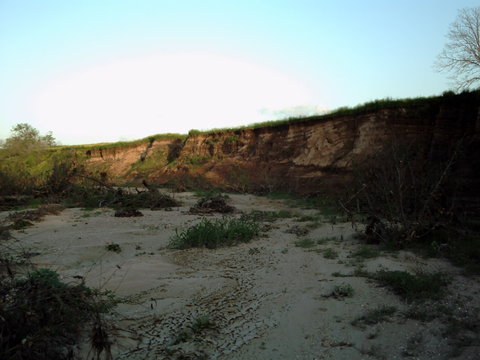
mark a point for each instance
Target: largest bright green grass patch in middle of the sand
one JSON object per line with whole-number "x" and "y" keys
{"x": 215, "y": 233}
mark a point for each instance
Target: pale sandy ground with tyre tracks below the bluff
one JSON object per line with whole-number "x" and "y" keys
{"x": 268, "y": 299}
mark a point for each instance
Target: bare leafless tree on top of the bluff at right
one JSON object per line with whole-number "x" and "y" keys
{"x": 461, "y": 54}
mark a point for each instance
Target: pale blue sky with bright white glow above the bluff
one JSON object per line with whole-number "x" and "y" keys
{"x": 95, "y": 71}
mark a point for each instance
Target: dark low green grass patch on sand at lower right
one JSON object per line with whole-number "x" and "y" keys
{"x": 419, "y": 287}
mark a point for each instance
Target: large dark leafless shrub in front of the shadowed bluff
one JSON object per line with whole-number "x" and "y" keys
{"x": 404, "y": 191}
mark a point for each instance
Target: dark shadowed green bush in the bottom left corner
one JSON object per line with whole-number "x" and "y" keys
{"x": 42, "y": 317}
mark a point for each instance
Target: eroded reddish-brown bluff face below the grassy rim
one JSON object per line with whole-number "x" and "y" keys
{"x": 302, "y": 155}
